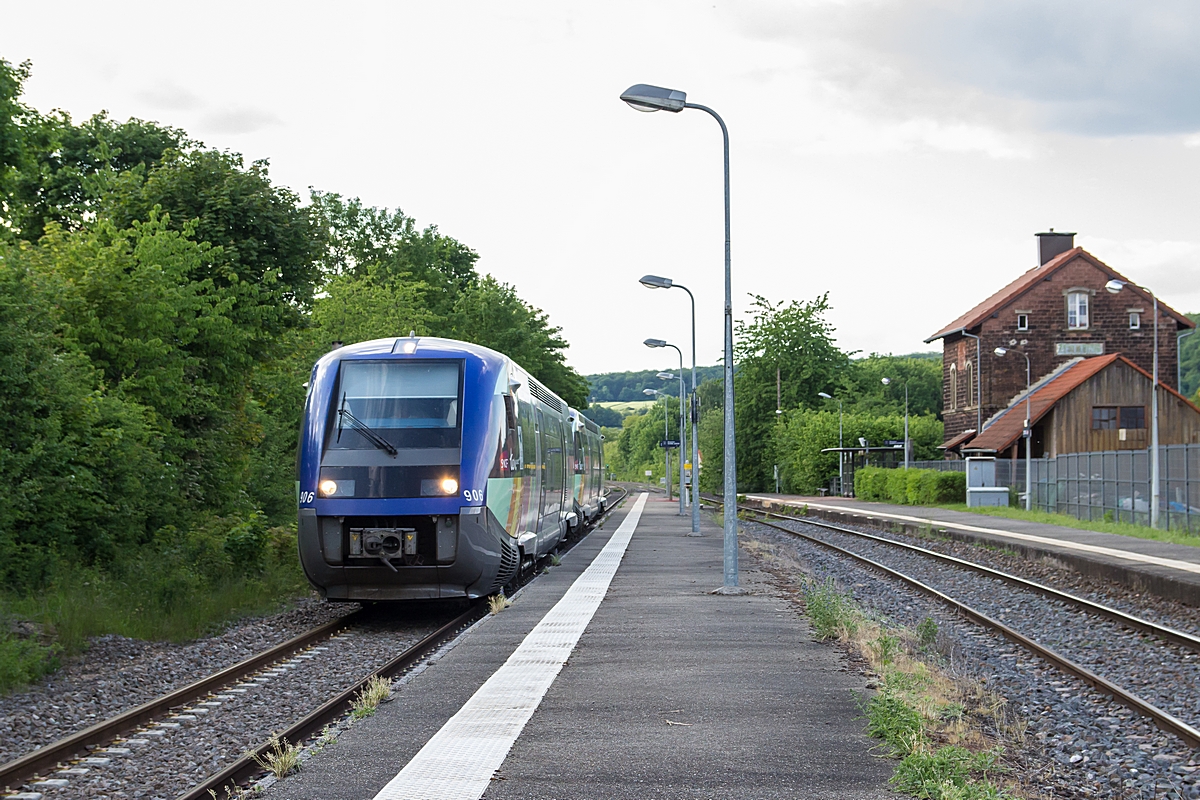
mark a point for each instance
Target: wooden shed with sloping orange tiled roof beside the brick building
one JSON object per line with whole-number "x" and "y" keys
{"x": 1090, "y": 406}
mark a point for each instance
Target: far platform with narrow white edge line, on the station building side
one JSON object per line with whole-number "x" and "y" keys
{"x": 1159, "y": 568}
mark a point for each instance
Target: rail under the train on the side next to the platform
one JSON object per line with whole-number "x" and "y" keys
{"x": 248, "y": 767}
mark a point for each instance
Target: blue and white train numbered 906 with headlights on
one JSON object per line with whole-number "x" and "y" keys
{"x": 431, "y": 468}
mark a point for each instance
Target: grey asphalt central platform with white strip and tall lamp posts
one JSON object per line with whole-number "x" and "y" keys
{"x": 669, "y": 693}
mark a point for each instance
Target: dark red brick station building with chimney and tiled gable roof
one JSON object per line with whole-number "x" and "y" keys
{"x": 1057, "y": 312}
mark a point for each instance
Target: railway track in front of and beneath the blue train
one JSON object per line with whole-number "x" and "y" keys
{"x": 74, "y": 756}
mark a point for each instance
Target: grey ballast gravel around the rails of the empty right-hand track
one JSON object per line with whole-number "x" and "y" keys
{"x": 1087, "y": 745}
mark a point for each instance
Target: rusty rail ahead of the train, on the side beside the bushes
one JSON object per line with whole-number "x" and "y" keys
{"x": 17, "y": 771}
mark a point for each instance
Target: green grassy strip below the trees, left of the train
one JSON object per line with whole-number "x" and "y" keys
{"x": 171, "y": 597}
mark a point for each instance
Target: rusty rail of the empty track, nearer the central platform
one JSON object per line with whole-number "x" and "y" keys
{"x": 1163, "y": 720}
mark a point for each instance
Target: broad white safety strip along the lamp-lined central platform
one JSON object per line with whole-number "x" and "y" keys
{"x": 459, "y": 762}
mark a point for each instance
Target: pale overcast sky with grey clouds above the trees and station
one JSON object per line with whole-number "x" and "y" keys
{"x": 898, "y": 155}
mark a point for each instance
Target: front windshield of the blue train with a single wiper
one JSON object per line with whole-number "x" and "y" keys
{"x": 405, "y": 404}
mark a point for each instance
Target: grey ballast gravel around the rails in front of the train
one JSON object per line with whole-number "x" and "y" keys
{"x": 167, "y": 757}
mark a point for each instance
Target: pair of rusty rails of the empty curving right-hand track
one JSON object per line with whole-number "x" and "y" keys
{"x": 1162, "y": 719}
